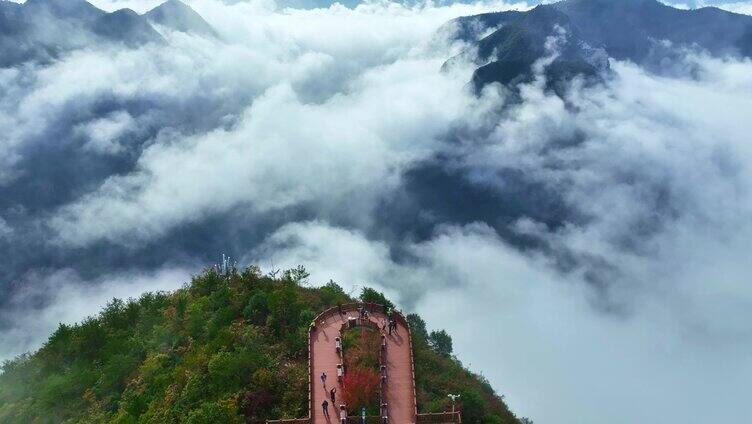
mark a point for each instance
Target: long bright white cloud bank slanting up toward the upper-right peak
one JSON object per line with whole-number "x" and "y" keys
{"x": 282, "y": 152}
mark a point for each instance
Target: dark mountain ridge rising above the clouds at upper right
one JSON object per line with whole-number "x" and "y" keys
{"x": 506, "y": 45}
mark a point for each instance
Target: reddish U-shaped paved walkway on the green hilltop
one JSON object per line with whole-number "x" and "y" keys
{"x": 400, "y": 394}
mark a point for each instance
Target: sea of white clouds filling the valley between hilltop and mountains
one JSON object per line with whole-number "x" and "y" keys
{"x": 589, "y": 257}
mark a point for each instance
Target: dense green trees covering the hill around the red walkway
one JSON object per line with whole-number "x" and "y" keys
{"x": 219, "y": 350}
